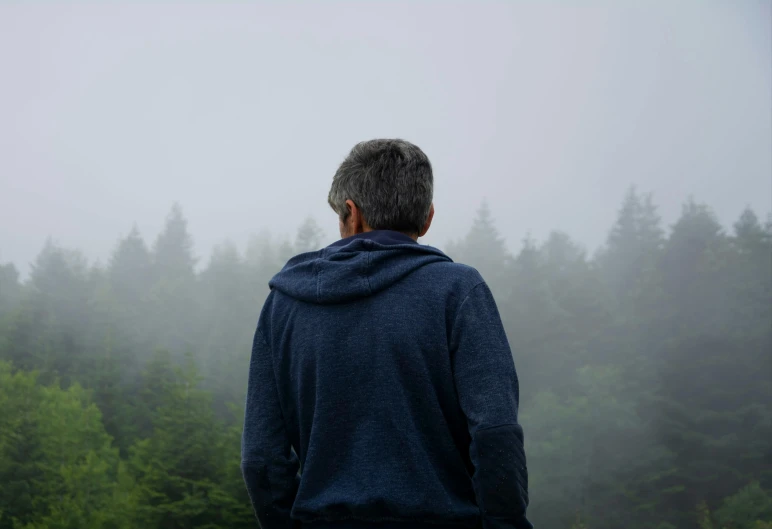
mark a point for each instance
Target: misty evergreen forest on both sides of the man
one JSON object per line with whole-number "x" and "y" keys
{"x": 645, "y": 372}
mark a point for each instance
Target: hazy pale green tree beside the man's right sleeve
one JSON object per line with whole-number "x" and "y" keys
{"x": 578, "y": 446}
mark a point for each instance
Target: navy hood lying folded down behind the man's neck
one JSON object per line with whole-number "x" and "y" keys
{"x": 354, "y": 268}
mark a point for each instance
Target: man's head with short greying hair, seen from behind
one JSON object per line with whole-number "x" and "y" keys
{"x": 383, "y": 185}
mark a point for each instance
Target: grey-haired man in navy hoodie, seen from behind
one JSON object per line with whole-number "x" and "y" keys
{"x": 382, "y": 390}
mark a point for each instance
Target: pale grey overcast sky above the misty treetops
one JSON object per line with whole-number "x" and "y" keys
{"x": 110, "y": 113}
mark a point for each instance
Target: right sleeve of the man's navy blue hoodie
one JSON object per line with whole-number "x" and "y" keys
{"x": 488, "y": 393}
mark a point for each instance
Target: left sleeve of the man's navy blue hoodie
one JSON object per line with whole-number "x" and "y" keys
{"x": 268, "y": 464}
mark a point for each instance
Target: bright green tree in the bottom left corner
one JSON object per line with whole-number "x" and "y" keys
{"x": 57, "y": 466}
